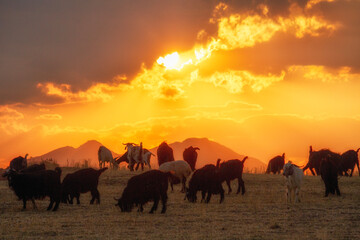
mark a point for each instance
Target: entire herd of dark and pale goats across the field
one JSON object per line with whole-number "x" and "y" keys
{"x": 35, "y": 182}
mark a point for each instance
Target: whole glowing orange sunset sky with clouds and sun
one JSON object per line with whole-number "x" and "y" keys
{"x": 262, "y": 77}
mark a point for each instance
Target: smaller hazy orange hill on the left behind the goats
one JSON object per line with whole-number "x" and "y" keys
{"x": 69, "y": 156}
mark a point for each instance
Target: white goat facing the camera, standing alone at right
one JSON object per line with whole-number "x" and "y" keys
{"x": 294, "y": 177}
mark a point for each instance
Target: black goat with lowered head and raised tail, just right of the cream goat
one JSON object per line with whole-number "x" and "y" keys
{"x": 207, "y": 180}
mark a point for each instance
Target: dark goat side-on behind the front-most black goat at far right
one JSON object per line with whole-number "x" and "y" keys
{"x": 315, "y": 158}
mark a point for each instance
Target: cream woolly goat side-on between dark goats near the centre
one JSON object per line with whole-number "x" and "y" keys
{"x": 181, "y": 170}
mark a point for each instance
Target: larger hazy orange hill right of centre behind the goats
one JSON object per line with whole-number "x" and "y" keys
{"x": 209, "y": 152}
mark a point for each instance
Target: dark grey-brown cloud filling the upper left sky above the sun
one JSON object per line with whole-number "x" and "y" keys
{"x": 83, "y": 42}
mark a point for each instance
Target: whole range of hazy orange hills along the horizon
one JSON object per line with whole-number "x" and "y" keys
{"x": 209, "y": 152}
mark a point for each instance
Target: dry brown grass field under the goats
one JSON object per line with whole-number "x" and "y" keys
{"x": 262, "y": 213}
